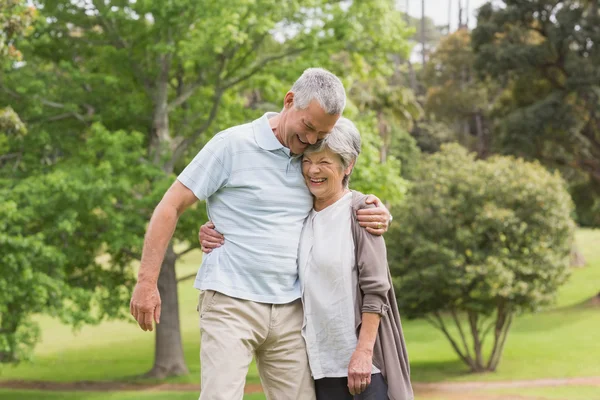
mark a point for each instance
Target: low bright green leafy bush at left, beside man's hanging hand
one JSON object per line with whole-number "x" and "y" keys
{"x": 54, "y": 228}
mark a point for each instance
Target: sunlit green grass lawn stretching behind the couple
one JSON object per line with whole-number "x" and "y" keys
{"x": 560, "y": 342}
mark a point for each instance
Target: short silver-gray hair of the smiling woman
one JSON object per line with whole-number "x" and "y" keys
{"x": 344, "y": 140}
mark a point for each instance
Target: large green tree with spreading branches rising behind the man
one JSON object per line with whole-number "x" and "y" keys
{"x": 177, "y": 73}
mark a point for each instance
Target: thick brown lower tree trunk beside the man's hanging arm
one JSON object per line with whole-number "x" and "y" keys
{"x": 168, "y": 351}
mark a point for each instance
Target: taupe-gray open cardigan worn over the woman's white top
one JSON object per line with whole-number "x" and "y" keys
{"x": 376, "y": 295}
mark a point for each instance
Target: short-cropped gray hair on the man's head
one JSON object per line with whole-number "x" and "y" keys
{"x": 323, "y": 86}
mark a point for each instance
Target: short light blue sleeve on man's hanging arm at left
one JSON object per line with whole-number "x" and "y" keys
{"x": 210, "y": 169}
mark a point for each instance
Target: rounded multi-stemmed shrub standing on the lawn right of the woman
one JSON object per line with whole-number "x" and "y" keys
{"x": 480, "y": 241}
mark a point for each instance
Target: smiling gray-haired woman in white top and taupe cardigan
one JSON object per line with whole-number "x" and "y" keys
{"x": 352, "y": 326}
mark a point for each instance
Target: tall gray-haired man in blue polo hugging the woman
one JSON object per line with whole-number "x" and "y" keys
{"x": 251, "y": 179}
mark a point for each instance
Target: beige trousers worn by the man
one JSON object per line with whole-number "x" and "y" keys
{"x": 233, "y": 330}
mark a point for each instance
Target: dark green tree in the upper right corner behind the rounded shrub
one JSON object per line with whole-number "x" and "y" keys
{"x": 547, "y": 53}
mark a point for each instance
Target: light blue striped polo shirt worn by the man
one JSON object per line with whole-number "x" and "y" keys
{"x": 256, "y": 197}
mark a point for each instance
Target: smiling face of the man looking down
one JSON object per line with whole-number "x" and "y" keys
{"x": 300, "y": 128}
